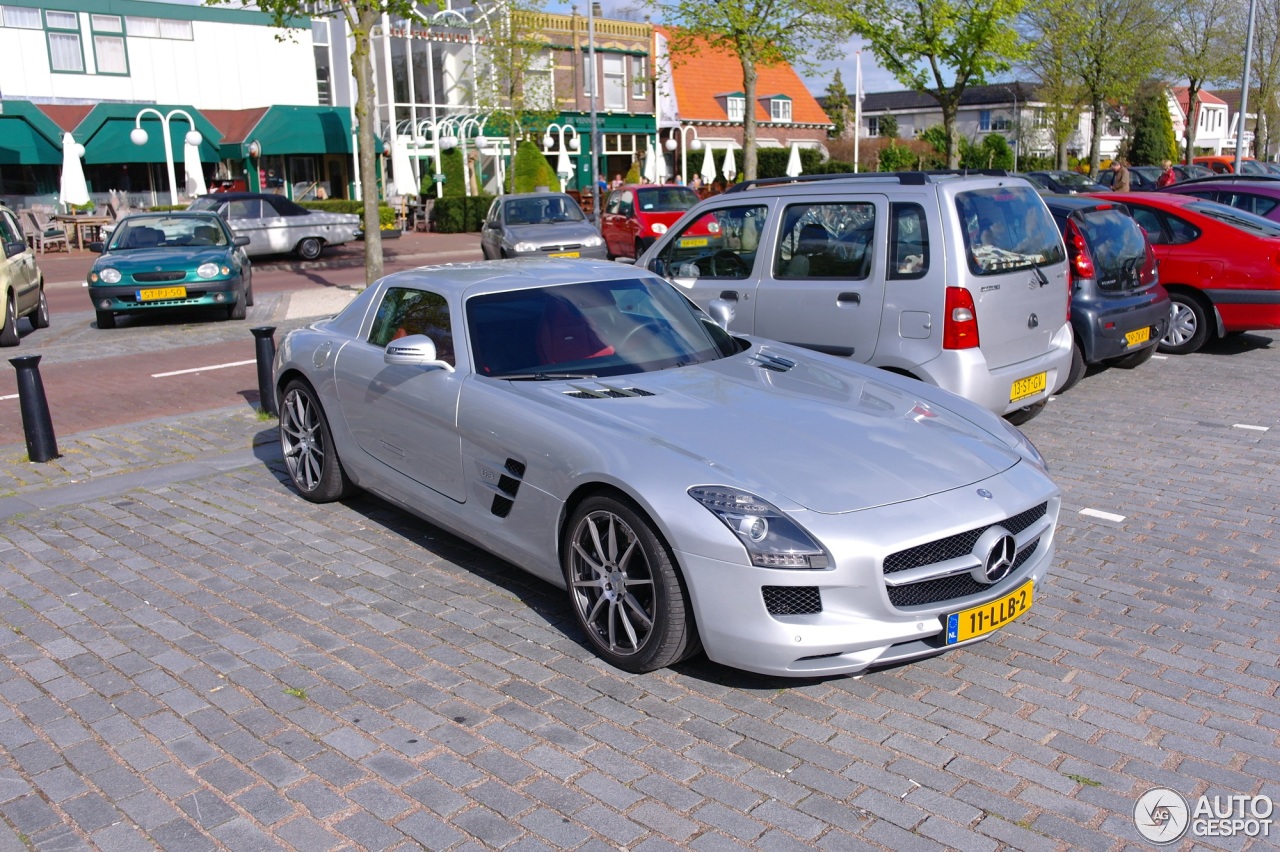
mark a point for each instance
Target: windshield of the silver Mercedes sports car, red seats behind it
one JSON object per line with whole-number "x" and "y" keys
{"x": 614, "y": 328}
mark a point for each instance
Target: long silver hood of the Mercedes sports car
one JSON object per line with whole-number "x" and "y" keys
{"x": 829, "y": 438}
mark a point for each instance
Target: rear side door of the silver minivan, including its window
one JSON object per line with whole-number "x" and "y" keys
{"x": 825, "y": 287}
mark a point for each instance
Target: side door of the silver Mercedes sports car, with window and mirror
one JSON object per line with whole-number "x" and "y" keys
{"x": 406, "y": 416}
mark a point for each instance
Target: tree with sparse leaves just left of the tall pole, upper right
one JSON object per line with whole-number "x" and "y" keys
{"x": 1201, "y": 53}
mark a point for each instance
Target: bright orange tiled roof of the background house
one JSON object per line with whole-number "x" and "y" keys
{"x": 701, "y": 76}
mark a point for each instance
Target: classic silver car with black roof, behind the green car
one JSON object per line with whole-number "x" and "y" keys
{"x": 276, "y": 226}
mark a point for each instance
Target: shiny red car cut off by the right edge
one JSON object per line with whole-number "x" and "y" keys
{"x": 1220, "y": 265}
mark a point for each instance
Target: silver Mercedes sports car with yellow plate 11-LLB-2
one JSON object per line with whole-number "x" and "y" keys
{"x": 788, "y": 512}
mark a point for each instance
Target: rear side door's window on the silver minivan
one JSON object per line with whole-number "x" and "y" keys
{"x": 826, "y": 241}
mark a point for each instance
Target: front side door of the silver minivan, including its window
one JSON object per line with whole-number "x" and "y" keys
{"x": 724, "y": 265}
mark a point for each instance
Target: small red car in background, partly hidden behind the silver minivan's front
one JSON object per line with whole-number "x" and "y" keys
{"x": 637, "y": 216}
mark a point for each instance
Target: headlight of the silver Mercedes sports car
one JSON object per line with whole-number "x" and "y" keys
{"x": 772, "y": 539}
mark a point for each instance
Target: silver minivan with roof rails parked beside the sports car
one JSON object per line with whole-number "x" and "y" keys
{"x": 956, "y": 280}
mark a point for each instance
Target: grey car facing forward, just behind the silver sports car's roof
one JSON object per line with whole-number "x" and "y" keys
{"x": 540, "y": 225}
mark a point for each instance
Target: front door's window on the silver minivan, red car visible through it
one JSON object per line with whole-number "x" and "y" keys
{"x": 721, "y": 244}
